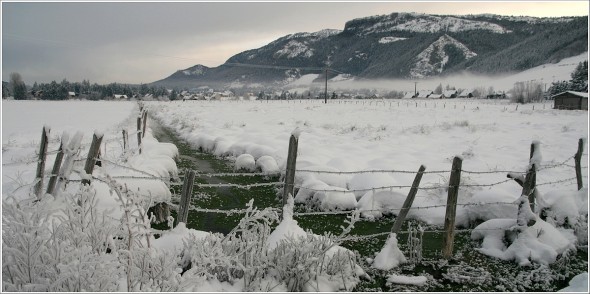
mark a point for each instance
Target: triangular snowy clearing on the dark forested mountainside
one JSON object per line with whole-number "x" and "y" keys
{"x": 433, "y": 59}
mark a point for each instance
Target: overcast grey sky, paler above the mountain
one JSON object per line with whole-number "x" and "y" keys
{"x": 143, "y": 42}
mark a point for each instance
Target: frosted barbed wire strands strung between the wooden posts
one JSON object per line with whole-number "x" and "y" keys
{"x": 177, "y": 179}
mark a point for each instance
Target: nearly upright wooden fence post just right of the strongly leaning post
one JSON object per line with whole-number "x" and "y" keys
{"x": 454, "y": 181}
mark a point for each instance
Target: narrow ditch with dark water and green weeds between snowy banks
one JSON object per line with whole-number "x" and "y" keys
{"x": 469, "y": 257}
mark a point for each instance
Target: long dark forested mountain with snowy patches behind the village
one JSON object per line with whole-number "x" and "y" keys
{"x": 400, "y": 45}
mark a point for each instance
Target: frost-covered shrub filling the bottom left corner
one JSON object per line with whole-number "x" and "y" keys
{"x": 63, "y": 252}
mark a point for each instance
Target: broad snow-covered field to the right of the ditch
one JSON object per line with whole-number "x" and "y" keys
{"x": 492, "y": 137}
